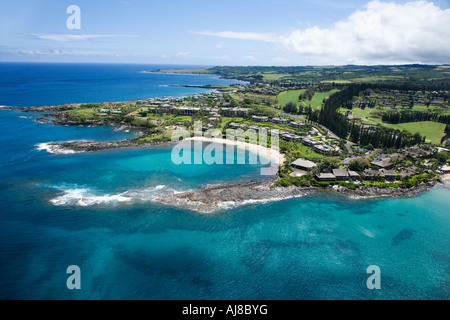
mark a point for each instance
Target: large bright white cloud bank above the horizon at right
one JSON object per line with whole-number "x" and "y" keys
{"x": 381, "y": 33}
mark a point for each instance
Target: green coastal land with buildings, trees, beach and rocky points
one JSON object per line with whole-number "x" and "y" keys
{"x": 283, "y": 104}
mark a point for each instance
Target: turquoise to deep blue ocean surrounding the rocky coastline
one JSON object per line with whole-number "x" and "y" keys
{"x": 71, "y": 209}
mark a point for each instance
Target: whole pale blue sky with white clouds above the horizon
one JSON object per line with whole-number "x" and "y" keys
{"x": 244, "y": 32}
